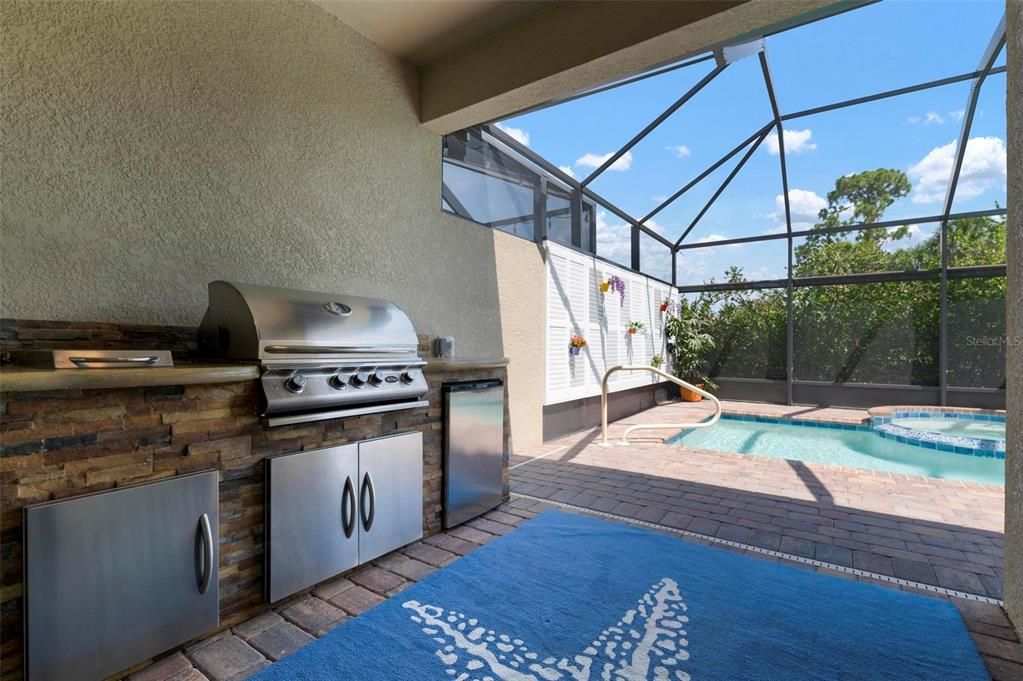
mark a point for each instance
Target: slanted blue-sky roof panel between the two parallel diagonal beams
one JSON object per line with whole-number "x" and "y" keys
{"x": 726, "y": 112}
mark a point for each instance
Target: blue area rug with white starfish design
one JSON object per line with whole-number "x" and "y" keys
{"x": 576, "y": 599}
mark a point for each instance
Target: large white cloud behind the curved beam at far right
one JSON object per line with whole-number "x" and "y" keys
{"x": 984, "y": 168}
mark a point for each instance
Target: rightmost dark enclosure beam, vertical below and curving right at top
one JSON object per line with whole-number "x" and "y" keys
{"x": 988, "y": 62}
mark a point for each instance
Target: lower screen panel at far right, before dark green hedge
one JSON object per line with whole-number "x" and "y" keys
{"x": 977, "y": 333}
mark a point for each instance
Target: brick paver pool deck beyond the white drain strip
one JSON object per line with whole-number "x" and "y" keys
{"x": 942, "y": 533}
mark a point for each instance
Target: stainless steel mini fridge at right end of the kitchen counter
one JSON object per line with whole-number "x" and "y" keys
{"x": 474, "y": 448}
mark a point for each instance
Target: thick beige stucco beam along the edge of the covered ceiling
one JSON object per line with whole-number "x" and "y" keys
{"x": 571, "y": 48}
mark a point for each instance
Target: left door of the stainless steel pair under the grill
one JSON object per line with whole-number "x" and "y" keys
{"x": 312, "y": 518}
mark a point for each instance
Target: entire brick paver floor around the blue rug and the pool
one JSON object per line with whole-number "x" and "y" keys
{"x": 933, "y": 532}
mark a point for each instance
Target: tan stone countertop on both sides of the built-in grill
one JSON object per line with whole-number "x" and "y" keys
{"x": 24, "y": 380}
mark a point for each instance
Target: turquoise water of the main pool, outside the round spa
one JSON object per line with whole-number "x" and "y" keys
{"x": 856, "y": 448}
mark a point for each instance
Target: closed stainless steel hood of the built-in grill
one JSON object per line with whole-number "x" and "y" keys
{"x": 248, "y": 323}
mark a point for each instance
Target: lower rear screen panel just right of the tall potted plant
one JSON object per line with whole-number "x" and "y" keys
{"x": 749, "y": 333}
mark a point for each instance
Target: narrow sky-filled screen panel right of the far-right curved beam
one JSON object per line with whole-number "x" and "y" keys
{"x": 983, "y": 180}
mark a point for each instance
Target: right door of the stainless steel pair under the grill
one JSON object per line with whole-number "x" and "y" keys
{"x": 390, "y": 494}
